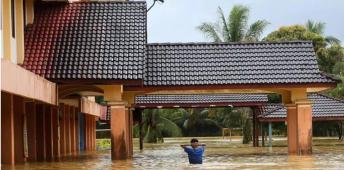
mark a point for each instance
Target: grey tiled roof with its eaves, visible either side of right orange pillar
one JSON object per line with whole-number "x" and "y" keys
{"x": 323, "y": 108}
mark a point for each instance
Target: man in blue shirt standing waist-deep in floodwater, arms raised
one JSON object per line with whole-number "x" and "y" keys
{"x": 195, "y": 151}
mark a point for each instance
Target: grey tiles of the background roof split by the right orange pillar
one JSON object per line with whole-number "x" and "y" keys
{"x": 323, "y": 106}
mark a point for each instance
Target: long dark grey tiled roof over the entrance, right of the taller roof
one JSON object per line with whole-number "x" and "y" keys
{"x": 232, "y": 63}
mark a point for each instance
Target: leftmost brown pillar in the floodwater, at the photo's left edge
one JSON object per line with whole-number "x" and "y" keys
{"x": 7, "y": 129}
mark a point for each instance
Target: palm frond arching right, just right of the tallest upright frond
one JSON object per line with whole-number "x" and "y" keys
{"x": 255, "y": 31}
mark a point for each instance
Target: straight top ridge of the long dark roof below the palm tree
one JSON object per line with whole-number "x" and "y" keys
{"x": 227, "y": 43}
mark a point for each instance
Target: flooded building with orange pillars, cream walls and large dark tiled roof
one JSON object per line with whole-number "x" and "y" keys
{"x": 58, "y": 55}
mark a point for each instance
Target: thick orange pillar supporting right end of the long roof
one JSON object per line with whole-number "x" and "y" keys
{"x": 299, "y": 125}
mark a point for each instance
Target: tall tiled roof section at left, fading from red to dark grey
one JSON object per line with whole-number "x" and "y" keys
{"x": 87, "y": 40}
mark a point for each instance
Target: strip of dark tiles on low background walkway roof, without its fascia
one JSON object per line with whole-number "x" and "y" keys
{"x": 200, "y": 98}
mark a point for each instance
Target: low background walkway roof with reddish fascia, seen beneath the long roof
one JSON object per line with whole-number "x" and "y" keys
{"x": 200, "y": 100}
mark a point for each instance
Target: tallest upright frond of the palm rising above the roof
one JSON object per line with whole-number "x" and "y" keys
{"x": 238, "y": 22}
